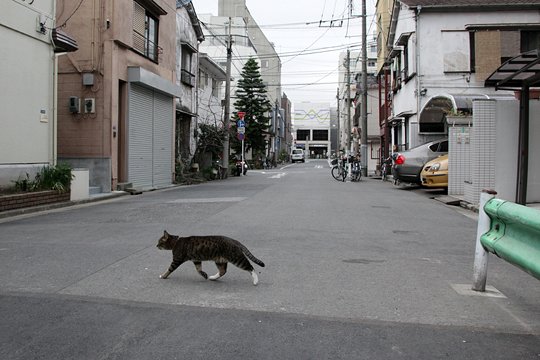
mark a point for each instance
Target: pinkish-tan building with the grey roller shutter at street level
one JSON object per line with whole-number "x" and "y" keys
{"x": 118, "y": 93}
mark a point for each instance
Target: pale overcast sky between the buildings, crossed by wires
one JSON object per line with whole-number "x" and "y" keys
{"x": 308, "y": 35}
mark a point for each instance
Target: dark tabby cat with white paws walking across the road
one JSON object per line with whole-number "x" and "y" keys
{"x": 217, "y": 248}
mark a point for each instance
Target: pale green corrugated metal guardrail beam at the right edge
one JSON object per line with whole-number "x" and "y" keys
{"x": 514, "y": 234}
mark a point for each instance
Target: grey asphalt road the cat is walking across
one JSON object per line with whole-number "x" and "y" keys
{"x": 353, "y": 271}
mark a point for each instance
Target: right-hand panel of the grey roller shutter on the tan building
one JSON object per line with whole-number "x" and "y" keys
{"x": 163, "y": 140}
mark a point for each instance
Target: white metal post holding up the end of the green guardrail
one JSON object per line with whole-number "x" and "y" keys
{"x": 481, "y": 255}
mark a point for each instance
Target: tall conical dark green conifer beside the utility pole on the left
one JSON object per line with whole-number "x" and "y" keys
{"x": 252, "y": 99}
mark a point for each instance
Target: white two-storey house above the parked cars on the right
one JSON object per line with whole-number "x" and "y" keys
{"x": 440, "y": 47}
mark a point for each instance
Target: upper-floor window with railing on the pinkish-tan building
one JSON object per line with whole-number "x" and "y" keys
{"x": 145, "y": 32}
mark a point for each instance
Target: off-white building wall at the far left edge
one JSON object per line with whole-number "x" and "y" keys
{"x": 28, "y": 94}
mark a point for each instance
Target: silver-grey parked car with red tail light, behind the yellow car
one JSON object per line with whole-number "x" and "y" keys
{"x": 408, "y": 164}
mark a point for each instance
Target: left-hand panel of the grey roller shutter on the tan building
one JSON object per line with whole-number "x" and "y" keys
{"x": 140, "y": 130}
